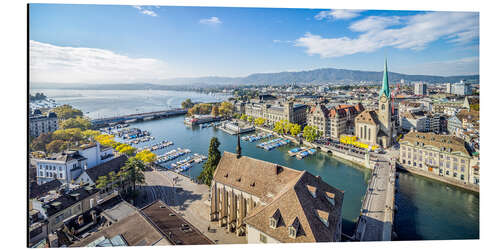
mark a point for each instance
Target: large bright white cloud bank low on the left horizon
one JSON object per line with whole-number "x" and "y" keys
{"x": 57, "y": 64}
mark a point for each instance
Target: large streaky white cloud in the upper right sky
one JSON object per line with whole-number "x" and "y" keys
{"x": 415, "y": 32}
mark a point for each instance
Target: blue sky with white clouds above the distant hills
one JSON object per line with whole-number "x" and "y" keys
{"x": 111, "y": 43}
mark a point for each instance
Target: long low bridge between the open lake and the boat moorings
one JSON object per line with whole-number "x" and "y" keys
{"x": 102, "y": 122}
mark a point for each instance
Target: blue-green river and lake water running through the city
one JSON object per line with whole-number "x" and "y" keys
{"x": 428, "y": 209}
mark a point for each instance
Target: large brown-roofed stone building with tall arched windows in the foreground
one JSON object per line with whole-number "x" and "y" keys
{"x": 270, "y": 203}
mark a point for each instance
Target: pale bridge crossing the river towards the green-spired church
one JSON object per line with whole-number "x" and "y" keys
{"x": 377, "y": 211}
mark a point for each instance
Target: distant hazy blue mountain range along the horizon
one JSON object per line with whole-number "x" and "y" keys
{"x": 318, "y": 76}
